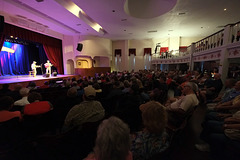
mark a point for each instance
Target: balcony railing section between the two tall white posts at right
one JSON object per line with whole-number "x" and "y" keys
{"x": 212, "y": 41}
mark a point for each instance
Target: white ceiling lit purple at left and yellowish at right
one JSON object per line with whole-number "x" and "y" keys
{"x": 201, "y": 19}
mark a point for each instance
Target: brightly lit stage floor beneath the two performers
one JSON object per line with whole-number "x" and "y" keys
{"x": 25, "y": 79}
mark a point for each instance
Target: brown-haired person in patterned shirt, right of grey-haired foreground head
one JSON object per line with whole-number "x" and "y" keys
{"x": 153, "y": 139}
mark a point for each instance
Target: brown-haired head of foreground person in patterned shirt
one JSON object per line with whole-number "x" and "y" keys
{"x": 154, "y": 117}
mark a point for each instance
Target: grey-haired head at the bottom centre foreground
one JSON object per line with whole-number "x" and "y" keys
{"x": 113, "y": 140}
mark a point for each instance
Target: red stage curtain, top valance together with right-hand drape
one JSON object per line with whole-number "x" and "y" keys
{"x": 52, "y": 46}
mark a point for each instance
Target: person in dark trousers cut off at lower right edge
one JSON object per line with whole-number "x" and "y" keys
{"x": 219, "y": 135}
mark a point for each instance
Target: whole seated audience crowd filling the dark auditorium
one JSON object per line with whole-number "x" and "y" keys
{"x": 126, "y": 95}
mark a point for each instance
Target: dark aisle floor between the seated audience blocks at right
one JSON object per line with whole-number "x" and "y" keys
{"x": 185, "y": 148}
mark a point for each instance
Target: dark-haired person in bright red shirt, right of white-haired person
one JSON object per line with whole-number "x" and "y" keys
{"x": 36, "y": 106}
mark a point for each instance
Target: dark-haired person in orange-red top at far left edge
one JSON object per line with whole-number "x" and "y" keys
{"x": 6, "y": 103}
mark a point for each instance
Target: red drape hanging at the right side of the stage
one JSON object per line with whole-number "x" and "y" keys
{"x": 54, "y": 54}
